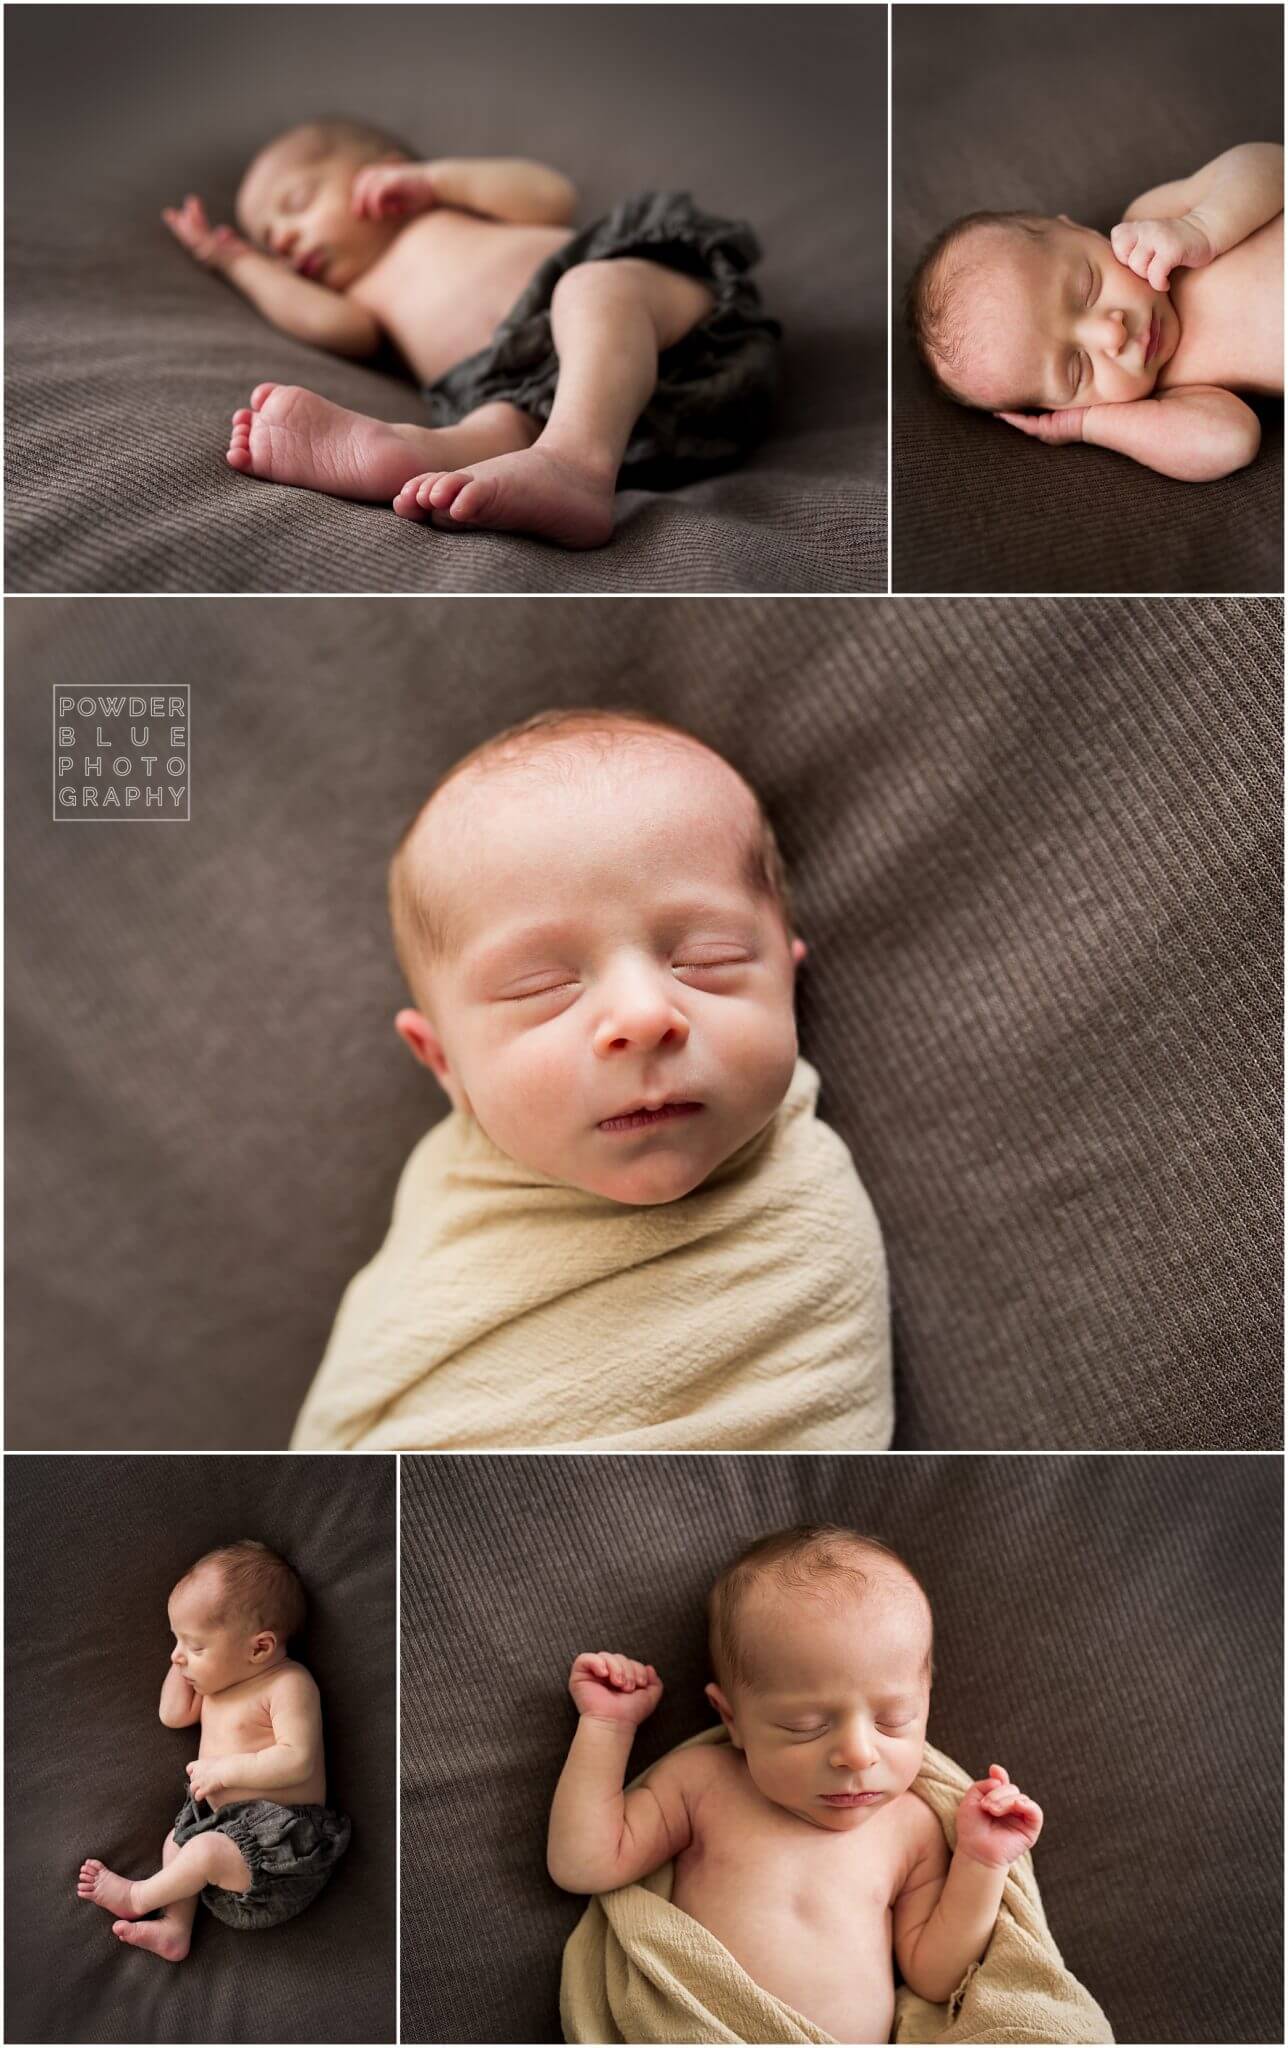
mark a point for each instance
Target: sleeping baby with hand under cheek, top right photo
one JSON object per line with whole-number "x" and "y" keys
{"x": 1135, "y": 341}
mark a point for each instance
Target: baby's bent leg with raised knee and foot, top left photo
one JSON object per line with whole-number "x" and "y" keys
{"x": 611, "y": 321}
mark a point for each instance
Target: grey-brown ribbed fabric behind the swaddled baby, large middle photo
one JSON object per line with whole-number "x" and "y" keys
{"x": 1035, "y": 853}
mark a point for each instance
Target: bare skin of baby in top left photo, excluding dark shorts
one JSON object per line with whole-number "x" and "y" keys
{"x": 431, "y": 257}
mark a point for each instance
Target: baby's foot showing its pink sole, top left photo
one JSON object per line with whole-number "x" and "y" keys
{"x": 290, "y": 435}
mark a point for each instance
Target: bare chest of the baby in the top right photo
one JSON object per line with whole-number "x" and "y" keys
{"x": 1232, "y": 316}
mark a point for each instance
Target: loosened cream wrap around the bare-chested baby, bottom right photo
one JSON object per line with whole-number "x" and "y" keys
{"x": 636, "y": 1969}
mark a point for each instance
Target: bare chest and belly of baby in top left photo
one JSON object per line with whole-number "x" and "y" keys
{"x": 447, "y": 282}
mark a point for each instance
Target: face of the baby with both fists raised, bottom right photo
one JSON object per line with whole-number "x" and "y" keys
{"x": 834, "y": 1721}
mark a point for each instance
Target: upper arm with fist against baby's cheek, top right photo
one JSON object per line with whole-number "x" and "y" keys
{"x": 1195, "y": 220}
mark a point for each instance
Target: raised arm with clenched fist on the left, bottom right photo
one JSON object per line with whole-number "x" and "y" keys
{"x": 603, "y": 1836}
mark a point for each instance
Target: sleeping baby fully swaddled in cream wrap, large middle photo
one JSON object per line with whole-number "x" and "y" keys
{"x": 632, "y": 1232}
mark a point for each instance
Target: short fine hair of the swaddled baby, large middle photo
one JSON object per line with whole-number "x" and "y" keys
{"x": 419, "y": 931}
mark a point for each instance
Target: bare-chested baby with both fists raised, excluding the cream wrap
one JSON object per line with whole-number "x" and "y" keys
{"x": 802, "y": 1844}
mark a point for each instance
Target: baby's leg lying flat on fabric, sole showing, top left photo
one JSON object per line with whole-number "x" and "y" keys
{"x": 290, "y": 435}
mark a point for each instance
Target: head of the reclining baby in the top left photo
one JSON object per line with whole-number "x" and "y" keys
{"x": 296, "y": 200}
